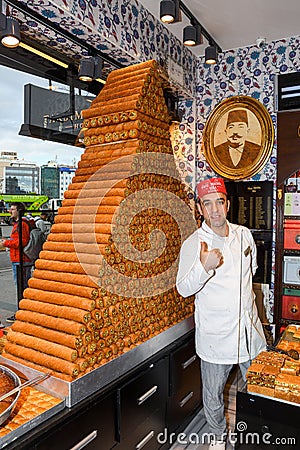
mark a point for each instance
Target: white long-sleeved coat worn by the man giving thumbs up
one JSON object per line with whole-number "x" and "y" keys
{"x": 228, "y": 329}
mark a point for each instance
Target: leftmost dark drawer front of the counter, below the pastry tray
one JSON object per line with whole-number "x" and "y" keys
{"x": 93, "y": 428}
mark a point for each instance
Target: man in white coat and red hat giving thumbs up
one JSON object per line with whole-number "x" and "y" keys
{"x": 217, "y": 263}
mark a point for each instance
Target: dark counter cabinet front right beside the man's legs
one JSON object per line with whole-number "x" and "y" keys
{"x": 185, "y": 384}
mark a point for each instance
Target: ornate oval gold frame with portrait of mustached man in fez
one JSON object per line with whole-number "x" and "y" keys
{"x": 238, "y": 137}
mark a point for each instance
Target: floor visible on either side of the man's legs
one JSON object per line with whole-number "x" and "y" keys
{"x": 193, "y": 435}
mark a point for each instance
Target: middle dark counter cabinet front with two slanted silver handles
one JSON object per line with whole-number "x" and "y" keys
{"x": 142, "y": 406}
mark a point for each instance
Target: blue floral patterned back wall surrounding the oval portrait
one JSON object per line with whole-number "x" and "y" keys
{"x": 244, "y": 71}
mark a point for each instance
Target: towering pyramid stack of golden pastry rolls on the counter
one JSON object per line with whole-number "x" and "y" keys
{"x": 105, "y": 279}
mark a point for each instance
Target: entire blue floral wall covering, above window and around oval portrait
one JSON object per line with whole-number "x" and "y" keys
{"x": 128, "y": 32}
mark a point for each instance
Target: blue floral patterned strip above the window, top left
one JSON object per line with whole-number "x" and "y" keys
{"x": 123, "y": 29}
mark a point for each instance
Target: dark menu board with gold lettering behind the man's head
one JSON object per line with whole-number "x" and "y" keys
{"x": 251, "y": 204}
